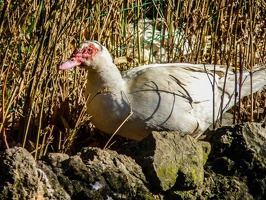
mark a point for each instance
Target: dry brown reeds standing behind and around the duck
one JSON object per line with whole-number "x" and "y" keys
{"x": 42, "y": 109}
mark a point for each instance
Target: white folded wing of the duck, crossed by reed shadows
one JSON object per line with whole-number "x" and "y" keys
{"x": 181, "y": 96}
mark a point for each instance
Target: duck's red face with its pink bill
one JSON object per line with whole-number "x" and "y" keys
{"x": 84, "y": 52}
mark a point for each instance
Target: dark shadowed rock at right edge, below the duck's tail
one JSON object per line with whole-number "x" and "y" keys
{"x": 239, "y": 151}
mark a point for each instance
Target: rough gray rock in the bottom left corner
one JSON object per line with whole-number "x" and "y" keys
{"x": 21, "y": 178}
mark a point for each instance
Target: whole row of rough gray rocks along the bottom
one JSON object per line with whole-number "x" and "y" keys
{"x": 230, "y": 163}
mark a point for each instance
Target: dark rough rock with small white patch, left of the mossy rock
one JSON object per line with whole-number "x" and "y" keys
{"x": 99, "y": 174}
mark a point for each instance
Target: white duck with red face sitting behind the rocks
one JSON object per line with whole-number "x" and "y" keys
{"x": 176, "y": 96}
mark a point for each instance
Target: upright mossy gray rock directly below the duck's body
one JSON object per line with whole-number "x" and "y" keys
{"x": 169, "y": 160}
